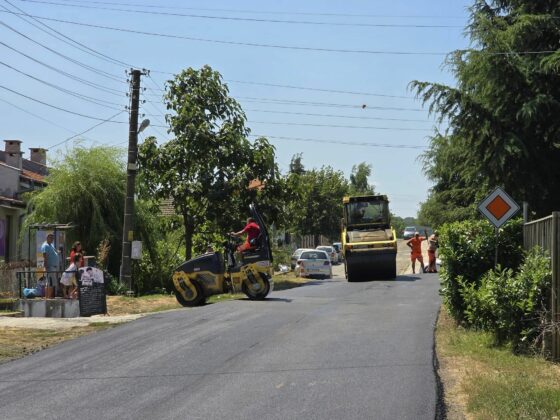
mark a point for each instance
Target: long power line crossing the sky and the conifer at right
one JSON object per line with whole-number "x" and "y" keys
{"x": 279, "y": 46}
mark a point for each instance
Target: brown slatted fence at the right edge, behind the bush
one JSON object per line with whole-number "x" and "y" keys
{"x": 545, "y": 233}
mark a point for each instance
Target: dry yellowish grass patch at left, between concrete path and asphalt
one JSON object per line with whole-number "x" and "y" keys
{"x": 18, "y": 342}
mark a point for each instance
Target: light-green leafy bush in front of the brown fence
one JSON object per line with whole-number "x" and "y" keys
{"x": 511, "y": 304}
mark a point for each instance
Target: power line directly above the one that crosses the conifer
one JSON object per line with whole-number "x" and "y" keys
{"x": 243, "y": 19}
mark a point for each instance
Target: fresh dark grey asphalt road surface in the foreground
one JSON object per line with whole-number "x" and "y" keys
{"x": 328, "y": 350}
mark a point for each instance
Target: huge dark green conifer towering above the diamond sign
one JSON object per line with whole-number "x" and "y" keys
{"x": 503, "y": 129}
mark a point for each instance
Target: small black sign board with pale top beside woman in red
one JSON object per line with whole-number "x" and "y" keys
{"x": 91, "y": 292}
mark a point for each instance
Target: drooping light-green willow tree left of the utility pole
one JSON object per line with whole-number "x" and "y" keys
{"x": 85, "y": 187}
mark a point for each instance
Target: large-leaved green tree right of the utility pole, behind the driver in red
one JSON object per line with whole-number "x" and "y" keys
{"x": 208, "y": 165}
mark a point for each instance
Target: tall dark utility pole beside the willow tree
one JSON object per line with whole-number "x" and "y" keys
{"x": 131, "y": 169}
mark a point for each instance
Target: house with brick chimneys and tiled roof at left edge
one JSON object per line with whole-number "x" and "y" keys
{"x": 17, "y": 176}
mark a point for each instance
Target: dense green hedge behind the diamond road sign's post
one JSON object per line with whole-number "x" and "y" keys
{"x": 467, "y": 251}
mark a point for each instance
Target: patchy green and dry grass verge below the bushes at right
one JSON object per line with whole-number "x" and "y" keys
{"x": 483, "y": 381}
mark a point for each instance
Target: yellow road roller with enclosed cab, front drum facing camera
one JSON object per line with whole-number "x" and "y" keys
{"x": 369, "y": 243}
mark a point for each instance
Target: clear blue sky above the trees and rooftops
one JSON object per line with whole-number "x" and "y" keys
{"x": 341, "y": 118}
